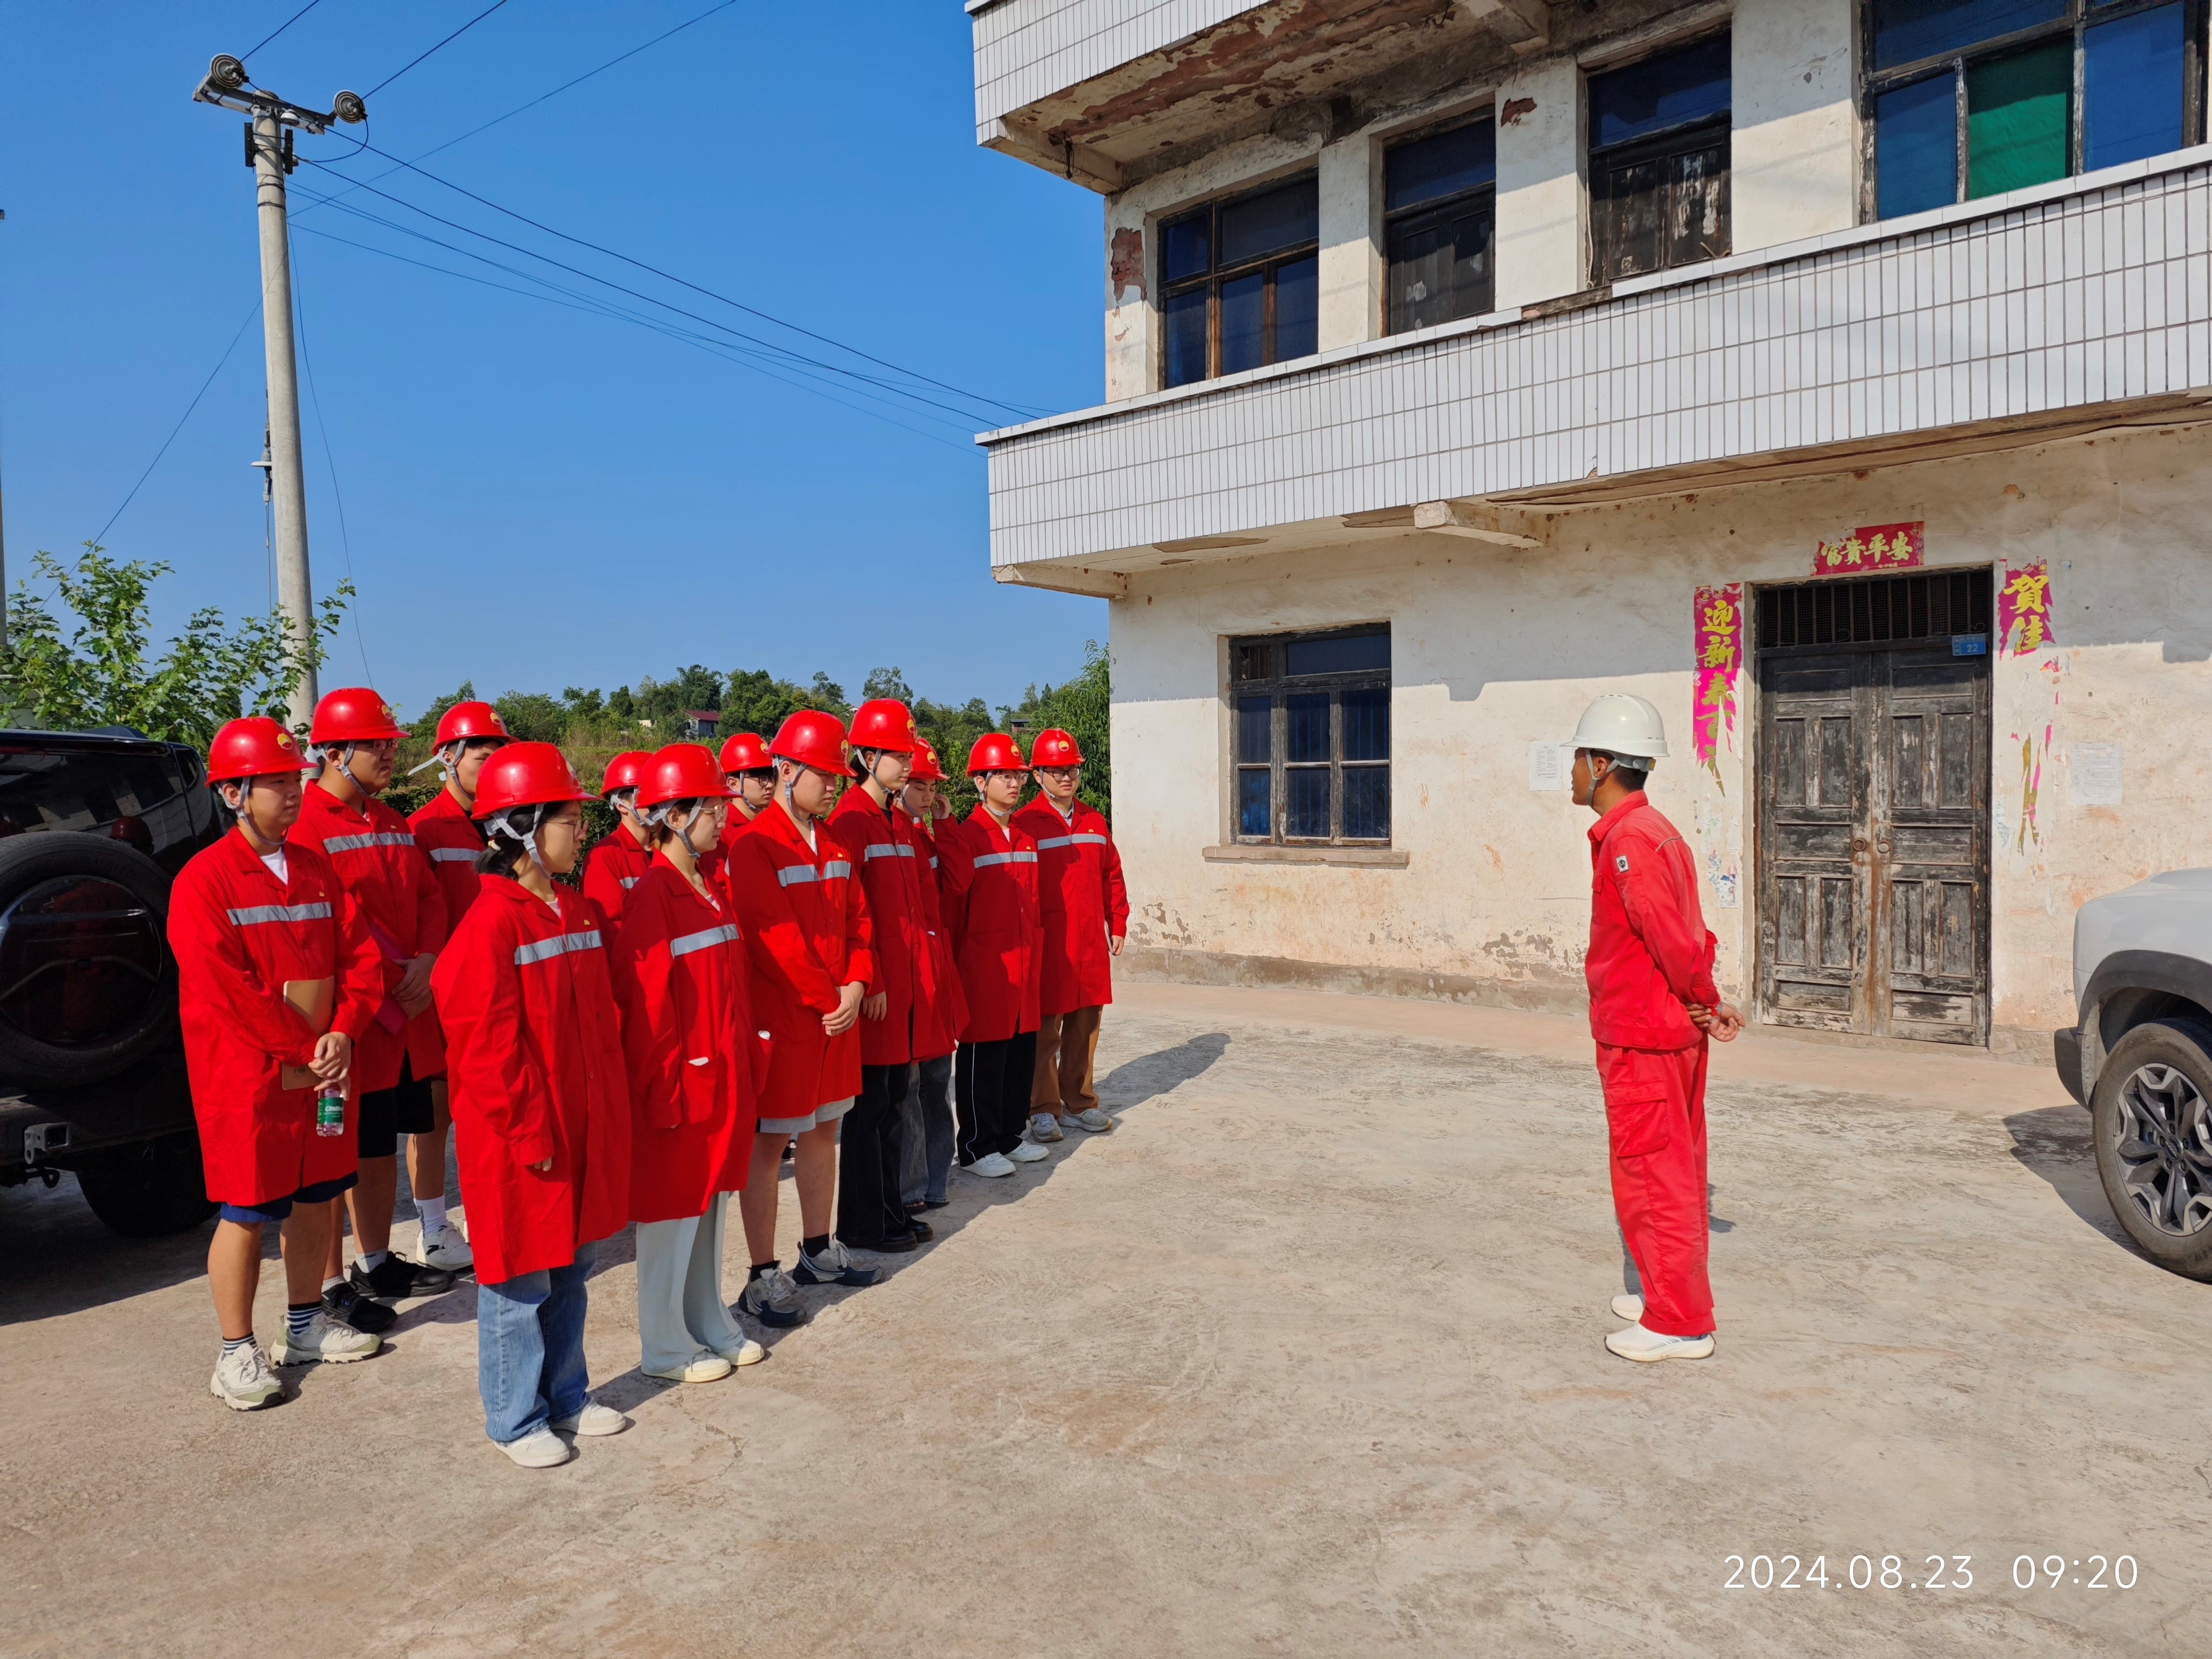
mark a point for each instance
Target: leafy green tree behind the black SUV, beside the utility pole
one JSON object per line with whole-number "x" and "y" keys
{"x": 101, "y": 671}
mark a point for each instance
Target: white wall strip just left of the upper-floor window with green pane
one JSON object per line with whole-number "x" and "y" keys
{"x": 1795, "y": 143}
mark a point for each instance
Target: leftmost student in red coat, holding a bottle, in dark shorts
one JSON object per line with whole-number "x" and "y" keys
{"x": 275, "y": 983}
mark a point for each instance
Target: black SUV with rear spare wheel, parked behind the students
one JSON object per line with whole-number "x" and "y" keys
{"x": 92, "y": 1067}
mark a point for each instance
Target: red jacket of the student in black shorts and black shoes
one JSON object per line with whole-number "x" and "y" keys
{"x": 379, "y": 862}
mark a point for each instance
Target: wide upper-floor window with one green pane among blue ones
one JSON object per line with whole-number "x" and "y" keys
{"x": 1968, "y": 98}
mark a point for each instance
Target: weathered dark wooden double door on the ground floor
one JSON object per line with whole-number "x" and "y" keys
{"x": 1875, "y": 837}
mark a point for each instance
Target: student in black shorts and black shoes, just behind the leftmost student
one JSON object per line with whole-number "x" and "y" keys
{"x": 382, "y": 866}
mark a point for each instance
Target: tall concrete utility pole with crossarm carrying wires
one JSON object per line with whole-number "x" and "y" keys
{"x": 269, "y": 152}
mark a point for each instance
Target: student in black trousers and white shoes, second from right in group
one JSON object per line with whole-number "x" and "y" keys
{"x": 999, "y": 943}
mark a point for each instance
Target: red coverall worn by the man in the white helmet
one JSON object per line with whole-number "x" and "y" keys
{"x": 1649, "y": 957}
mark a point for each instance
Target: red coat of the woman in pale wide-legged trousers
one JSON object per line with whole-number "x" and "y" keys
{"x": 687, "y": 1027}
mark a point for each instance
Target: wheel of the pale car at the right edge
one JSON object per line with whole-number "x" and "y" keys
{"x": 2153, "y": 1129}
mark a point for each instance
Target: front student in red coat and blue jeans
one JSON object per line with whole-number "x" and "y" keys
{"x": 541, "y": 1105}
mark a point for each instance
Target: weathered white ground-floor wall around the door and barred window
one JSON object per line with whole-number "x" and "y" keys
{"x": 1499, "y": 647}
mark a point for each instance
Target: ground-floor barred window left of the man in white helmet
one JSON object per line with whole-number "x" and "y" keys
{"x": 1311, "y": 716}
